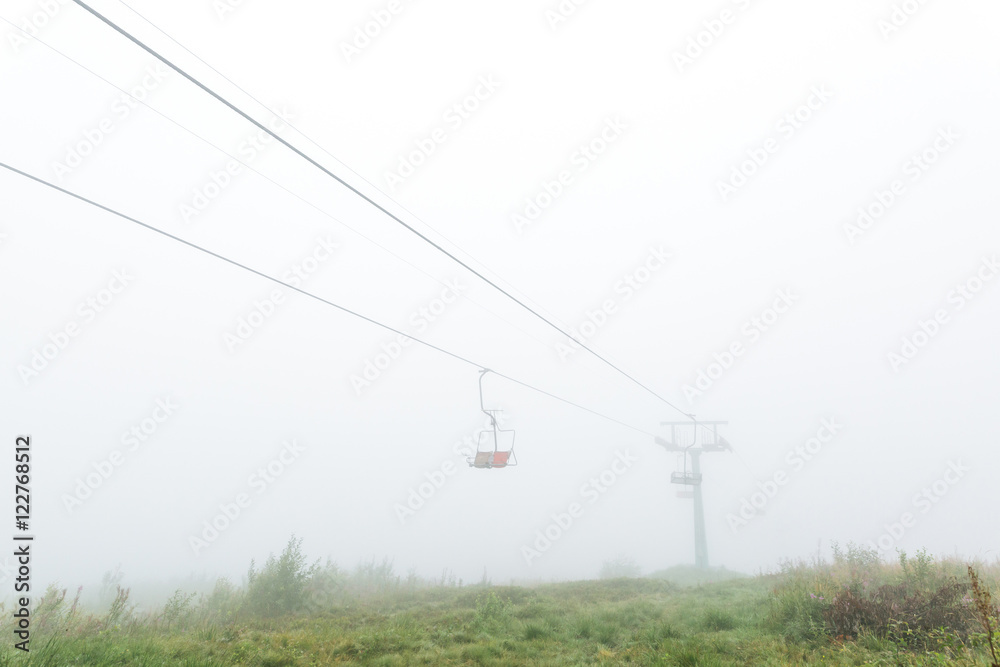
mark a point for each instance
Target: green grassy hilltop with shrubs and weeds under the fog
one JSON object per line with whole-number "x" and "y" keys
{"x": 853, "y": 611}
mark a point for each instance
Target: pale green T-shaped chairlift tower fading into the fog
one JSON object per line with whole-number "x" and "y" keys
{"x": 684, "y": 439}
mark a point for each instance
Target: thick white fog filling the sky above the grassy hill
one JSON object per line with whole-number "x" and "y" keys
{"x": 774, "y": 214}
